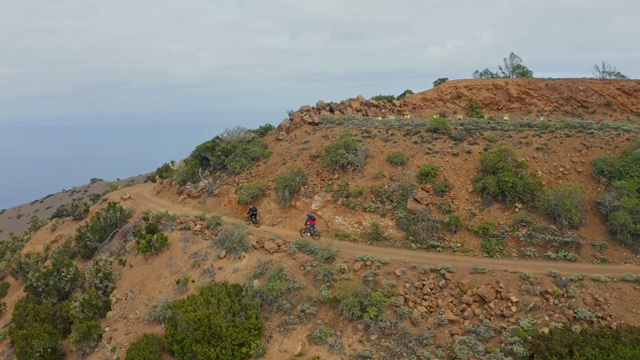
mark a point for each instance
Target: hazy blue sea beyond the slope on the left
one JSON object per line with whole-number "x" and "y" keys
{"x": 42, "y": 158}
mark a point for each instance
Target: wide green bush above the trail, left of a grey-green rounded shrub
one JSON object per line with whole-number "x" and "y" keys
{"x": 504, "y": 178}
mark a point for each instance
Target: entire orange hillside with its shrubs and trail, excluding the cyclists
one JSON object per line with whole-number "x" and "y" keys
{"x": 423, "y": 203}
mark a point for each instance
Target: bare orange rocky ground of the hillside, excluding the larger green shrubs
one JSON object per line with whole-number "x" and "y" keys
{"x": 428, "y": 289}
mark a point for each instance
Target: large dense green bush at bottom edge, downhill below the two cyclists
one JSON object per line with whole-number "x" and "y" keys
{"x": 220, "y": 322}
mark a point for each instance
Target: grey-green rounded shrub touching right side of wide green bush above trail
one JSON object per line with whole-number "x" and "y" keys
{"x": 565, "y": 205}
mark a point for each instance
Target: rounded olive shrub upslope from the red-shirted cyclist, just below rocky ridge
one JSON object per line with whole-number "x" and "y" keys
{"x": 345, "y": 154}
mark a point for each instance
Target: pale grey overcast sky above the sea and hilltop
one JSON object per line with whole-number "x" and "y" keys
{"x": 171, "y": 59}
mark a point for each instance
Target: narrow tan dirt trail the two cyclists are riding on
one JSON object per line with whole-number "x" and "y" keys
{"x": 144, "y": 197}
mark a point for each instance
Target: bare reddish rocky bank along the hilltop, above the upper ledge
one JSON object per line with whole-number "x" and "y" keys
{"x": 499, "y": 98}
